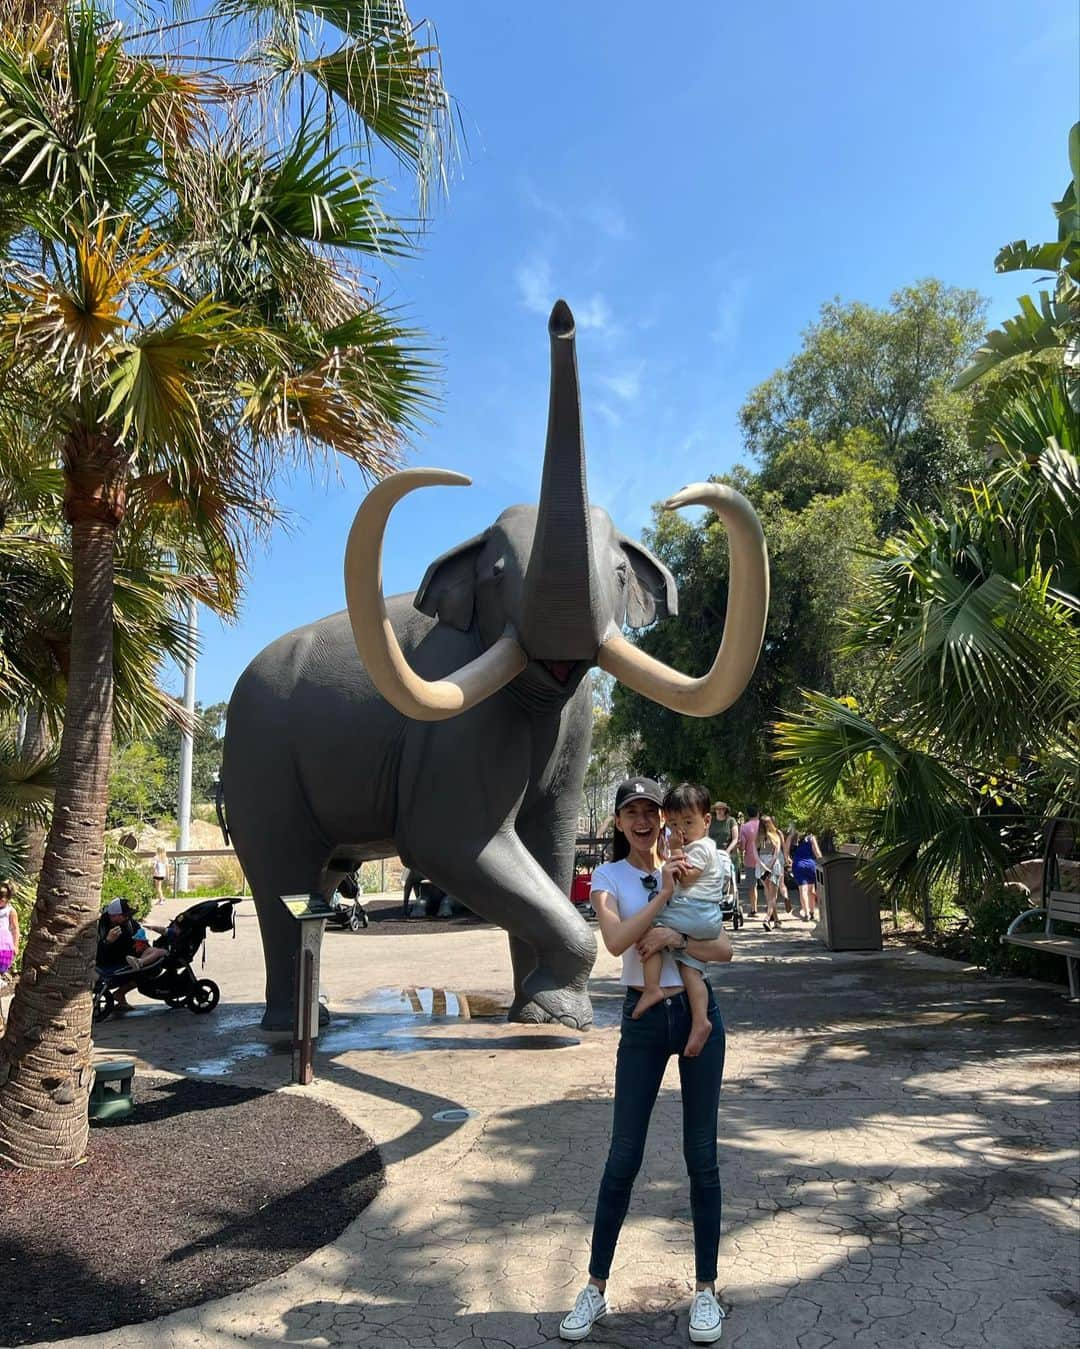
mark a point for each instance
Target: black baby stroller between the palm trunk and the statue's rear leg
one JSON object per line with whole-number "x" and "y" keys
{"x": 172, "y": 980}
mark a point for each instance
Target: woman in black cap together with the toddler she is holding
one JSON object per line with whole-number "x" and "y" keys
{"x": 632, "y": 896}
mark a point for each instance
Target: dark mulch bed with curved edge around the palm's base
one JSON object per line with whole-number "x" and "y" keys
{"x": 206, "y": 1190}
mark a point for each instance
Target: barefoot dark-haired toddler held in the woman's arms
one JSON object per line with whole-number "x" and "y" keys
{"x": 694, "y": 910}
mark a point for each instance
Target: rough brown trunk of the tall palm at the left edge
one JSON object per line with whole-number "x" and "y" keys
{"x": 45, "y": 1057}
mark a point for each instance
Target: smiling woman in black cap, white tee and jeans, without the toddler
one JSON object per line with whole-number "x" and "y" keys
{"x": 629, "y": 895}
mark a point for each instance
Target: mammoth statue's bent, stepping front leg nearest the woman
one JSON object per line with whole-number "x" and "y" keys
{"x": 505, "y": 884}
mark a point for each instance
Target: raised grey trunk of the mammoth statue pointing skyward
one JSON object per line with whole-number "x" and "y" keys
{"x": 560, "y": 608}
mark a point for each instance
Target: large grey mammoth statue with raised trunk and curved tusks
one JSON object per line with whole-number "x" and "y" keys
{"x": 452, "y": 728}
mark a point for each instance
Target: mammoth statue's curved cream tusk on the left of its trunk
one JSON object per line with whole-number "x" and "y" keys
{"x": 427, "y": 701}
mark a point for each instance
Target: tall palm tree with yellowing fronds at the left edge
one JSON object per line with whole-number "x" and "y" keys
{"x": 181, "y": 316}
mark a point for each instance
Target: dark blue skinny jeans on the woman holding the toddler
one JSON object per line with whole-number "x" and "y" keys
{"x": 645, "y": 1049}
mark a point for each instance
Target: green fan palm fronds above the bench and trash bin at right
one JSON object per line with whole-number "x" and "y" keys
{"x": 971, "y": 726}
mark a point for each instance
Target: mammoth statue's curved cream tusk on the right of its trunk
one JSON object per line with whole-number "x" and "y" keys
{"x": 744, "y": 624}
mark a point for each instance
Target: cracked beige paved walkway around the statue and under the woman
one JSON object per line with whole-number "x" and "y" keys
{"x": 899, "y": 1154}
